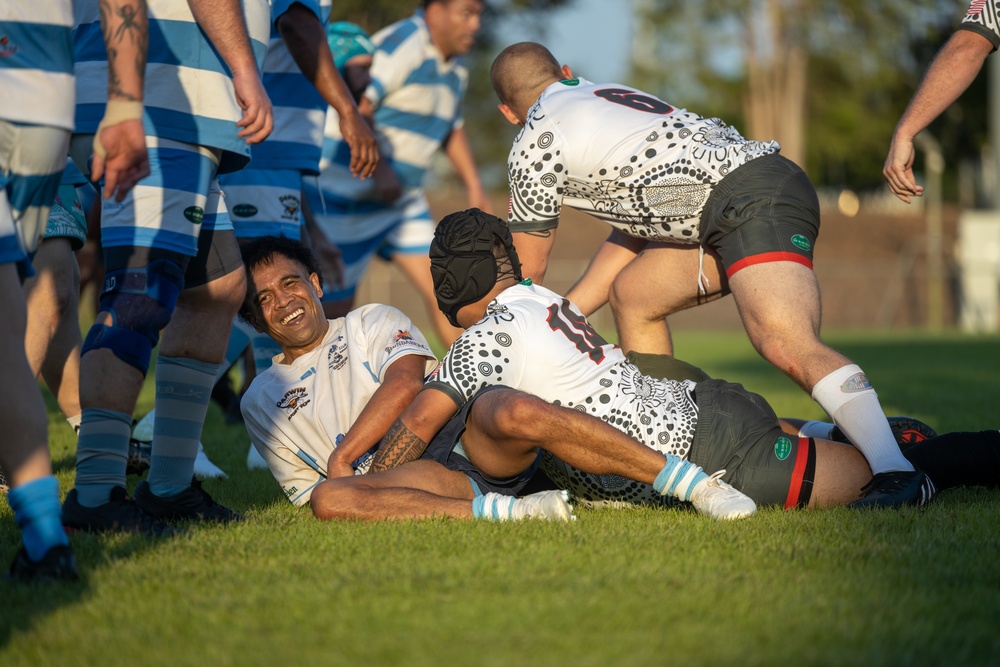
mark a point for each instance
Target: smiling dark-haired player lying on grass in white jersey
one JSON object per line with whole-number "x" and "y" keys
{"x": 355, "y": 375}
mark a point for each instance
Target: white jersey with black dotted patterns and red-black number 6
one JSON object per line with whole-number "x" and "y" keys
{"x": 622, "y": 155}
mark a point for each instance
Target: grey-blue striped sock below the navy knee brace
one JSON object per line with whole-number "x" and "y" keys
{"x": 101, "y": 454}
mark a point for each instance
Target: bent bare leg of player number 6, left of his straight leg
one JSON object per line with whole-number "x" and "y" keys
{"x": 661, "y": 280}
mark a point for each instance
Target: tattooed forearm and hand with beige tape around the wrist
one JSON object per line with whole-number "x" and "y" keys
{"x": 120, "y": 143}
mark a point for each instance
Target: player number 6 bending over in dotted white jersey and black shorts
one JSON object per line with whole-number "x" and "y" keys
{"x": 698, "y": 211}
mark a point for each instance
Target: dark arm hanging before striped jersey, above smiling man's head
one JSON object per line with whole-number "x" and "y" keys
{"x": 305, "y": 38}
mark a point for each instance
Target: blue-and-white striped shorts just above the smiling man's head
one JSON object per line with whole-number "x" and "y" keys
{"x": 264, "y": 202}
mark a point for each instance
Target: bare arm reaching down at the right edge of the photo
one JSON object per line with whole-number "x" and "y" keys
{"x": 951, "y": 73}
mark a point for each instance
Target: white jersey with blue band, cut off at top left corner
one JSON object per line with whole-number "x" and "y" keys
{"x": 36, "y": 62}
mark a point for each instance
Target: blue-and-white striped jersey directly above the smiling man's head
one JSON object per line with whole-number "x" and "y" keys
{"x": 299, "y": 109}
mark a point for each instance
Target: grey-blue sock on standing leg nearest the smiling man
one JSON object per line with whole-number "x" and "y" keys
{"x": 183, "y": 391}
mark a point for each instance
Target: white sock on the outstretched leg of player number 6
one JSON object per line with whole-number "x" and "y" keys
{"x": 849, "y": 399}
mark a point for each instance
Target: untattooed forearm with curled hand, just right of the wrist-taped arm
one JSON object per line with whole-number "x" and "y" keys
{"x": 223, "y": 22}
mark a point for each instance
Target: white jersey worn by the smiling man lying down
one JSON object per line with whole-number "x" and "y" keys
{"x": 297, "y": 413}
